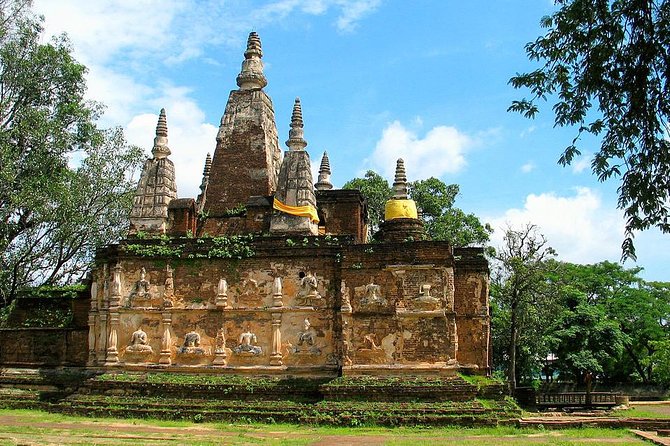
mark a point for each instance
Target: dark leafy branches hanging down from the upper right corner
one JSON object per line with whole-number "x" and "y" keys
{"x": 607, "y": 67}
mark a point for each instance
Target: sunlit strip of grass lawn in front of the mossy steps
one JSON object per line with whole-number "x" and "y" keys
{"x": 41, "y": 428}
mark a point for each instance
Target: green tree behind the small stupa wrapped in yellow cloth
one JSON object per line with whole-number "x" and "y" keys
{"x": 435, "y": 202}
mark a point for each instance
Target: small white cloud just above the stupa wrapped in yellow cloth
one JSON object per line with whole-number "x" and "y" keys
{"x": 441, "y": 150}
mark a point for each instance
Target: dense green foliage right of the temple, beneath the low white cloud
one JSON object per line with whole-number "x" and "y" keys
{"x": 600, "y": 319}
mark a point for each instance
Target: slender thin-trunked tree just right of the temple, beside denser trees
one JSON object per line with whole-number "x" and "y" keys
{"x": 519, "y": 292}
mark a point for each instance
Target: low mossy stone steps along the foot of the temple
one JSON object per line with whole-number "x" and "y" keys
{"x": 348, "y": 402}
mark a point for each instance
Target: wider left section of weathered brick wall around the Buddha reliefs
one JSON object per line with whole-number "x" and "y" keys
{"x": 250, "y": 305}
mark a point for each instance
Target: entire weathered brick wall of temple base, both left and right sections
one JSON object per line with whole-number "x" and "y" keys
{"x": 410, "y": 323}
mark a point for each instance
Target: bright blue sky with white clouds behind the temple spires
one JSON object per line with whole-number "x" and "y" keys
{"x": 424, "y": 80}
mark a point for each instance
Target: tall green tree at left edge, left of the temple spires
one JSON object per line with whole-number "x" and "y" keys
{"x": 65, "y": 184}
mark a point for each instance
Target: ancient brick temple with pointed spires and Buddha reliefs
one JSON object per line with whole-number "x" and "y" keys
{"x": 266, "y": 272}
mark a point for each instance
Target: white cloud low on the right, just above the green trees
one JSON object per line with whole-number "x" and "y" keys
{"x": 579, "y": 227}
